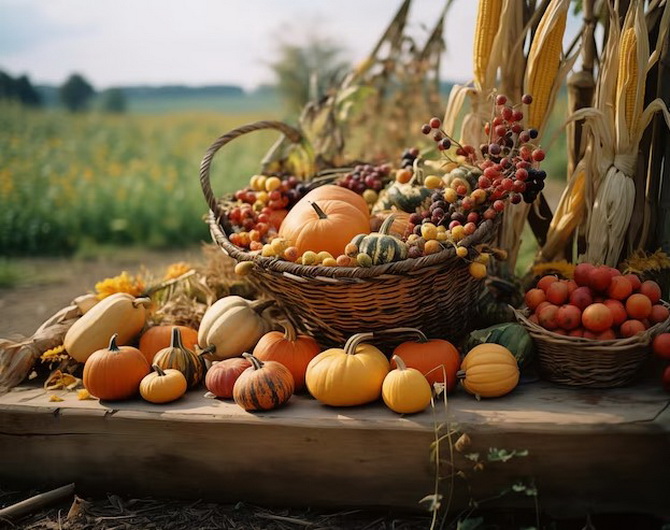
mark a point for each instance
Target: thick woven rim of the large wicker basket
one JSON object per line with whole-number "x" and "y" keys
{"x": 406, "y": 266}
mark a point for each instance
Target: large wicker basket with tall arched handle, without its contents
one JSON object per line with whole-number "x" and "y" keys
{"x": 434, "y": 293}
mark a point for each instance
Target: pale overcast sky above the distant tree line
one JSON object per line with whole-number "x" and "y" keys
{"x": 197, "y": 42}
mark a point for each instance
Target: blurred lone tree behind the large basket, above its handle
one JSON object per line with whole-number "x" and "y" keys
{"x": 308, "y": 71}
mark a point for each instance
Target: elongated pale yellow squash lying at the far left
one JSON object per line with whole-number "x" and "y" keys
{"x": 120, "y": 313}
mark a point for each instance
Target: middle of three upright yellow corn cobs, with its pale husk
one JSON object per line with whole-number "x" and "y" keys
{"x": 544, "y": 60}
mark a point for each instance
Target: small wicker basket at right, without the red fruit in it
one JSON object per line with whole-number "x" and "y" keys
{"x": 590, "y": 363}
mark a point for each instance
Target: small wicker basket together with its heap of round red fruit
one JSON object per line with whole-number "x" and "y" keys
{"x": 594, "y": 330}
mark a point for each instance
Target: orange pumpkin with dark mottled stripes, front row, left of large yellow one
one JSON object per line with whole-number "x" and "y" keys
{"x": 263, "y": 386}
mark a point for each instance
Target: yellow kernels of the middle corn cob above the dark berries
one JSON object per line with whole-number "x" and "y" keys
{"x": 546, "y": 57}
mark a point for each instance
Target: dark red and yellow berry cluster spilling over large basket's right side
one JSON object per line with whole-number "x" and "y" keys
{"x": 507, "y": 163}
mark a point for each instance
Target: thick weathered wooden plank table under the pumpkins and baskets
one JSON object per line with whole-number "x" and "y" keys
{"x": 588, "y": 450}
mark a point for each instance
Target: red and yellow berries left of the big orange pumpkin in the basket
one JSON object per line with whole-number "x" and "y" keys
{"x": 262, "y": 206}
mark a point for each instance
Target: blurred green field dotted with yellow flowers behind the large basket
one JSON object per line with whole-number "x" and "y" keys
{"x": 69, "y": 182}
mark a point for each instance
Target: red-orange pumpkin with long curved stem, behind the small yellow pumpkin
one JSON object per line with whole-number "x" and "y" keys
{"x": 429, "y": 357}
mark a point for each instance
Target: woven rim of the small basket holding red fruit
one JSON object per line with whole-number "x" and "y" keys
{"x": 606, "y": 346}
